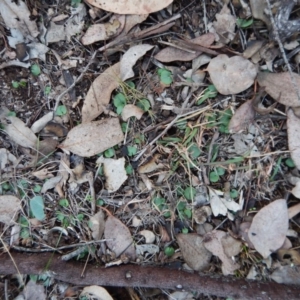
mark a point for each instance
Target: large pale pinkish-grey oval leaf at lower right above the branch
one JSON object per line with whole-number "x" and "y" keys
{"x": 269, "y": 227}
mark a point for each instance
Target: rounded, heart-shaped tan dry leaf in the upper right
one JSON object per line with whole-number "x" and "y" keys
{"x": 231, "y": 75}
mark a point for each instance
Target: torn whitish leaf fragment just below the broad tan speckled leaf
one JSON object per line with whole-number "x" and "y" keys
{"x": 114, "y": 172}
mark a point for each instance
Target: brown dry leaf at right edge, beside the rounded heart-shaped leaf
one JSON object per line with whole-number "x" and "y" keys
{"x": 280, "y": 87}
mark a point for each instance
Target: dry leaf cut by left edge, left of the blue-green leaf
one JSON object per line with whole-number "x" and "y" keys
{"x": 9, "y": 207}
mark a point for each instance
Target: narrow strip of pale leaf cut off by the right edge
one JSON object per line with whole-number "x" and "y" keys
{"x": 293, "y": 125}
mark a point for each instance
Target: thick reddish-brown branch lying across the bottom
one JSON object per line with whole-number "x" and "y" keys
{"x": 139, "y": 276}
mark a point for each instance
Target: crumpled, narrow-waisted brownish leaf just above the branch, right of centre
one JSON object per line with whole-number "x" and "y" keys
{"x": 213, "y": 243}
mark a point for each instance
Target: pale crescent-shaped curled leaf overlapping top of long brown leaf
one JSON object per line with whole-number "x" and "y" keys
{"x": 130, "y": 58}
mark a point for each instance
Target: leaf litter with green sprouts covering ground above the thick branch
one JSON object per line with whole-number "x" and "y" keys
{"x": 144, "y": 160}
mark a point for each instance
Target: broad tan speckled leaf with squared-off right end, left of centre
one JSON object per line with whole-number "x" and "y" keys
{"x": 92, "y": 138}
